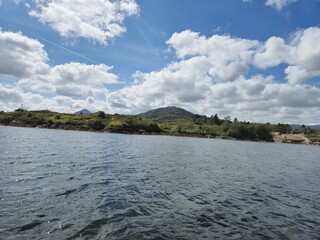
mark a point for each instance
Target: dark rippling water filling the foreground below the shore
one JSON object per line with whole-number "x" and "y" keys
{"x": 67, "y": 185}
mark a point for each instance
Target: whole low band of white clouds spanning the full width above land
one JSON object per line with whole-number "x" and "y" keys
{"x": 209, "y": 75}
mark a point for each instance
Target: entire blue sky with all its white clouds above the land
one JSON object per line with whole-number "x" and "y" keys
{"x": 257, "y": 60}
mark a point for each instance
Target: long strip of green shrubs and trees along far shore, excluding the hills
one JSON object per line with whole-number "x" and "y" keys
{"x": 198, "y": 125}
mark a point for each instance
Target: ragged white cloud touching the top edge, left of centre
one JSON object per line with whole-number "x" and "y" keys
{"x": 100, "y": 22}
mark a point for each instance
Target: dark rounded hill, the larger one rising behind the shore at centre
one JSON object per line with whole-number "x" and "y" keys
{"x": 167, "y": 114}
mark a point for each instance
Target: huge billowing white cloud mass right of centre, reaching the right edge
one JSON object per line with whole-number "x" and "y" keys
{"x": 198, "y": 80}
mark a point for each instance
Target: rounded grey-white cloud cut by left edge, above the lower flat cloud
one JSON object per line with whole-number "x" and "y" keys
{"x": 21, "y": 56}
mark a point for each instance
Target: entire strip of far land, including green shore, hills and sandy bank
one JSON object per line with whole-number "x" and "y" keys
{"x": 172, "y": 121}
